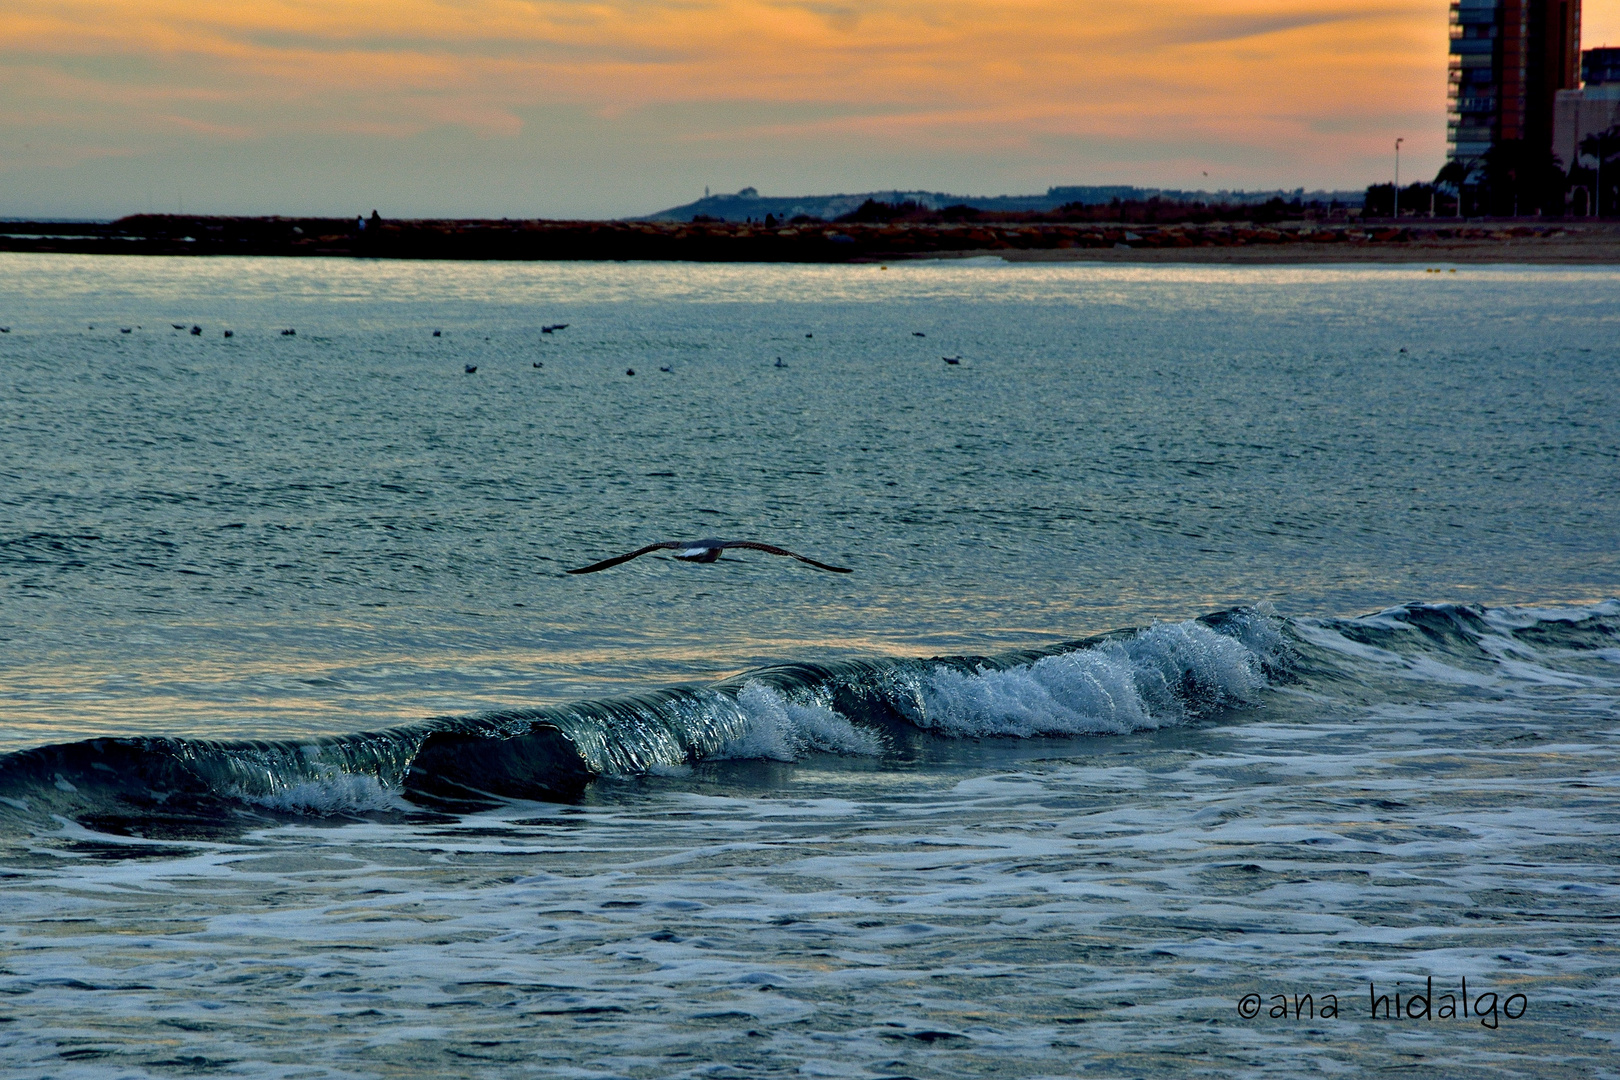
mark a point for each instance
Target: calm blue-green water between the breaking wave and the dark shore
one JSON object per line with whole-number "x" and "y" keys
{"x": 341, "y": 529}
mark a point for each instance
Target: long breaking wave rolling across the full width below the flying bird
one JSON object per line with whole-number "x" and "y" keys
{"x": 1112, "y": 684}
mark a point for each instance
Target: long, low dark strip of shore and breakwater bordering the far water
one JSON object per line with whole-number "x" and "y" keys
{"x": 1410, "y": 240}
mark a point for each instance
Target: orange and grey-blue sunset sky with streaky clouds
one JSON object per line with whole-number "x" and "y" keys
{"x": 616, "y": 108}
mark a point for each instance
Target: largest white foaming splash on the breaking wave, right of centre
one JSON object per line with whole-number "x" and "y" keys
{"x": 1112, "y": 689}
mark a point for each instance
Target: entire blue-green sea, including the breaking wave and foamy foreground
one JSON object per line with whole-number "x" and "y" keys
{"x": 1216, "y": 637}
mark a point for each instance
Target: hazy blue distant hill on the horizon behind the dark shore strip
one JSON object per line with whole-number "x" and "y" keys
{"x": 751, "y": 205}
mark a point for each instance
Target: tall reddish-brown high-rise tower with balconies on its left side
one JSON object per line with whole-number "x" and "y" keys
{"x": 1509, "y": 61}
